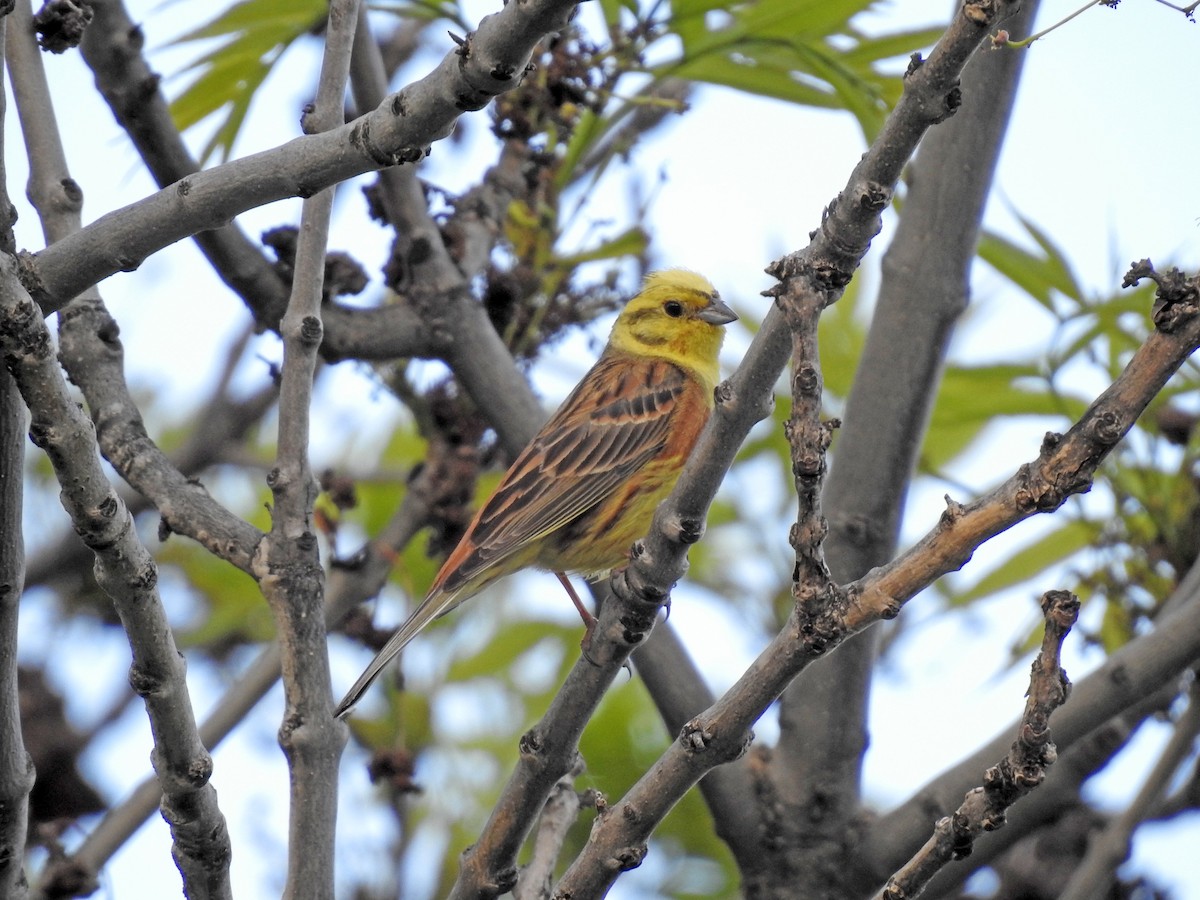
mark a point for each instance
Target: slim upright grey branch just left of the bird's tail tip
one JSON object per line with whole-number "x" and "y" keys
{"x": 289, "y": 561}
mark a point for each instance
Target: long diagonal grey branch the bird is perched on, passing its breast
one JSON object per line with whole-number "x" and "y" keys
{"x": 658, "y": 562}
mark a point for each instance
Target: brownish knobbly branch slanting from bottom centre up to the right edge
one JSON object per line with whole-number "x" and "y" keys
{"x": 1065, "y": 467}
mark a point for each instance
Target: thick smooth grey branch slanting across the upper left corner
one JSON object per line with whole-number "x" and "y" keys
{"x": 401, "y": 130}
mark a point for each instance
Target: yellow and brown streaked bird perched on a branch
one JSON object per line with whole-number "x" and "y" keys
{"x": 587, "y": 485}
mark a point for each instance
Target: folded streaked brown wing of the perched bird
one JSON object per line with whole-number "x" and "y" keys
{"x": 616, "y": 421}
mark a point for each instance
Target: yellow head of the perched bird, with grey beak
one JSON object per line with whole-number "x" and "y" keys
{"x": 679, "y": 316}
